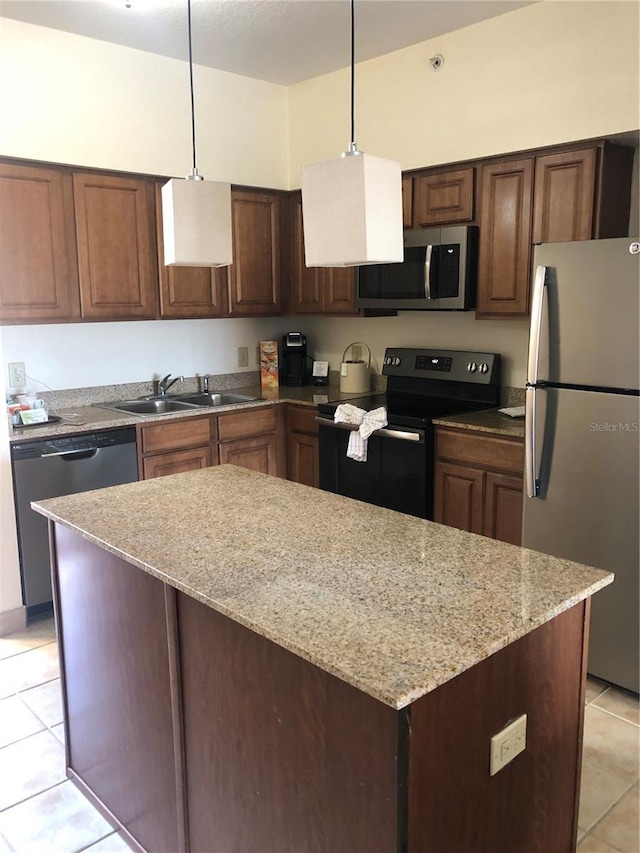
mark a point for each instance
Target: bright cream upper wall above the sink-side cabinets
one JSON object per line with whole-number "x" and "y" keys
{"x": 86, "y": 102}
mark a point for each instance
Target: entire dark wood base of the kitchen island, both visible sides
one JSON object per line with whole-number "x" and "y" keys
{"x": 193, "y": 733}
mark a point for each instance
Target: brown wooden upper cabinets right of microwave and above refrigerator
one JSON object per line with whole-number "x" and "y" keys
{"x": 564, "y": 195}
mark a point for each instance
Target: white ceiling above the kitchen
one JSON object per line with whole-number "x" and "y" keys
{"x": 280, "y": 41}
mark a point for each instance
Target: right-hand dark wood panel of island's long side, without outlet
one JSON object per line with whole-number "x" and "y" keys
{"x": 279, "y": 755}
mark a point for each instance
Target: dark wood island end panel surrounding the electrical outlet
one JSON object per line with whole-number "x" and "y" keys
{"x": 531, "y": 804}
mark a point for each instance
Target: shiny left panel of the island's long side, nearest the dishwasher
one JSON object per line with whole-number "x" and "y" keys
{"x": 117, "y": 696}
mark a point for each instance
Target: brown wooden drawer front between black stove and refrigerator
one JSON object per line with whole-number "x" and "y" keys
{"x": 502, "y": 454}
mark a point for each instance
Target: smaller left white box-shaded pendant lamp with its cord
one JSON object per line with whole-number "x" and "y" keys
{"x": 196, "y": 214}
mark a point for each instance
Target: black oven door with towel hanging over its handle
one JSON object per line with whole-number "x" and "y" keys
{"x": 397, "y": 474}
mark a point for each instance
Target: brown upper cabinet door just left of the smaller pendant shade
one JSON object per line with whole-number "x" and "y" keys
{"x": 115, "y": 230}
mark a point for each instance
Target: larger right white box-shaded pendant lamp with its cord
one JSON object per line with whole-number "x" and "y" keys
{"x": 352, "y": 206}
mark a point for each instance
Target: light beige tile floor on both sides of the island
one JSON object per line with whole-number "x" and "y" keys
{"x": 42, "y": 812}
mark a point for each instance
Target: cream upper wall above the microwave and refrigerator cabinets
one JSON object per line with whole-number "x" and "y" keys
{"x": 548, "y": 73}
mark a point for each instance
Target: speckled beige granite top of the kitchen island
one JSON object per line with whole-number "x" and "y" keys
{"x": 391, "y": 604}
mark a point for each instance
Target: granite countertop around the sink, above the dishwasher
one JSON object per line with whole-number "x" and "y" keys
{"x": 81, "y": 419}
